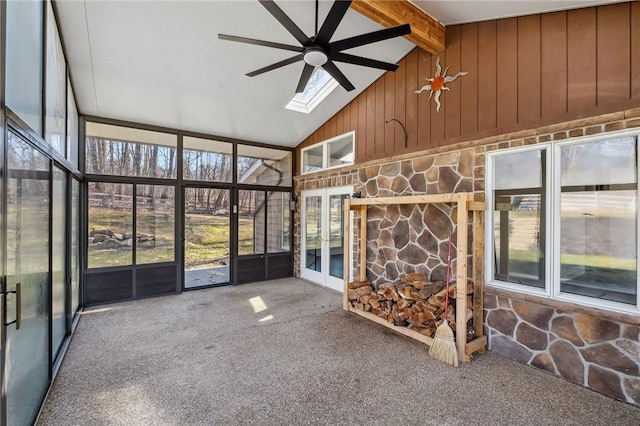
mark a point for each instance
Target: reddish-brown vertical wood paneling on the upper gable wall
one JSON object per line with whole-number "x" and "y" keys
{"x": 523, "y": 73}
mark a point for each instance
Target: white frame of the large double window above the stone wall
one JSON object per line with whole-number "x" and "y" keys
{"x": 552, "y": 232}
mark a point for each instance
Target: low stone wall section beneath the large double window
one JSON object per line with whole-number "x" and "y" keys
{"x": 583, "y": 348}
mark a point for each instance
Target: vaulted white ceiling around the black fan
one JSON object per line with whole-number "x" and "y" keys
{"x": 161, "y": 62}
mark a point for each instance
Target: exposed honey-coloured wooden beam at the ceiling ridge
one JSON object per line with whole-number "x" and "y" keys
{"x": 426, "y": 32}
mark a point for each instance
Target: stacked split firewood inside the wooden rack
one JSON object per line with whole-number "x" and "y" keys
{"x": 411, "y": 301}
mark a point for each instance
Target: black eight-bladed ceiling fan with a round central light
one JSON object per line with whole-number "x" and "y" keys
{"x": 319, "y": 50}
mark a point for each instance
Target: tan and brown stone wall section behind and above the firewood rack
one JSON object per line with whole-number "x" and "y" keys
{"x": 407, "y": 239}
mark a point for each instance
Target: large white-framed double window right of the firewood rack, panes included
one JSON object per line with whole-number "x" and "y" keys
{"x": 564, "y": 221}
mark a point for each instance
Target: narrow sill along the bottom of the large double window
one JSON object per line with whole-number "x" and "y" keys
{"x": 562, "y": 305}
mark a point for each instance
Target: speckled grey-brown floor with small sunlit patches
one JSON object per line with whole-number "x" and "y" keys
{"x": 285, "y": 353}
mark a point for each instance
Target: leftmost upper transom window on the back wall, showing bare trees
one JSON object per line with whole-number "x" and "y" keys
{"x": 124, "y": 151}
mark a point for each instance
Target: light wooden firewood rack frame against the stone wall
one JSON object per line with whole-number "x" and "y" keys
{"x": 466, "y": 203}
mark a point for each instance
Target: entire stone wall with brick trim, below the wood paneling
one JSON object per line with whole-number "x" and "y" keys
{"x": 599, "y": 351}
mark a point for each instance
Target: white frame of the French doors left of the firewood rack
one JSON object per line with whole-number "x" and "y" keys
{"x": 323, "y": 277}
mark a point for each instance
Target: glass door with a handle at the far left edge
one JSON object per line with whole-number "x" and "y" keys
{"x": 26, "y": 372}
